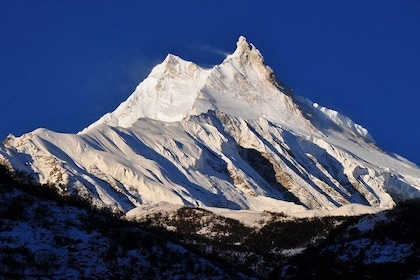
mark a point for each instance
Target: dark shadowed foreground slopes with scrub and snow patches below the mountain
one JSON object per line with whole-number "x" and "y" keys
{"x": 44, "y": 235}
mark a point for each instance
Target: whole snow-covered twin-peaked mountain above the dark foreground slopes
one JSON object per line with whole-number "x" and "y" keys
{"x": 232, "y": 136}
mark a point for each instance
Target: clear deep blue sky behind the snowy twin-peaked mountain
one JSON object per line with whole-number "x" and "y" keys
{"x": 63, "y": 64}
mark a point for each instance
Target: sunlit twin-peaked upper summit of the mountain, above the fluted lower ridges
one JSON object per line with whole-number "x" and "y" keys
{"x": 177, "y": 88}
